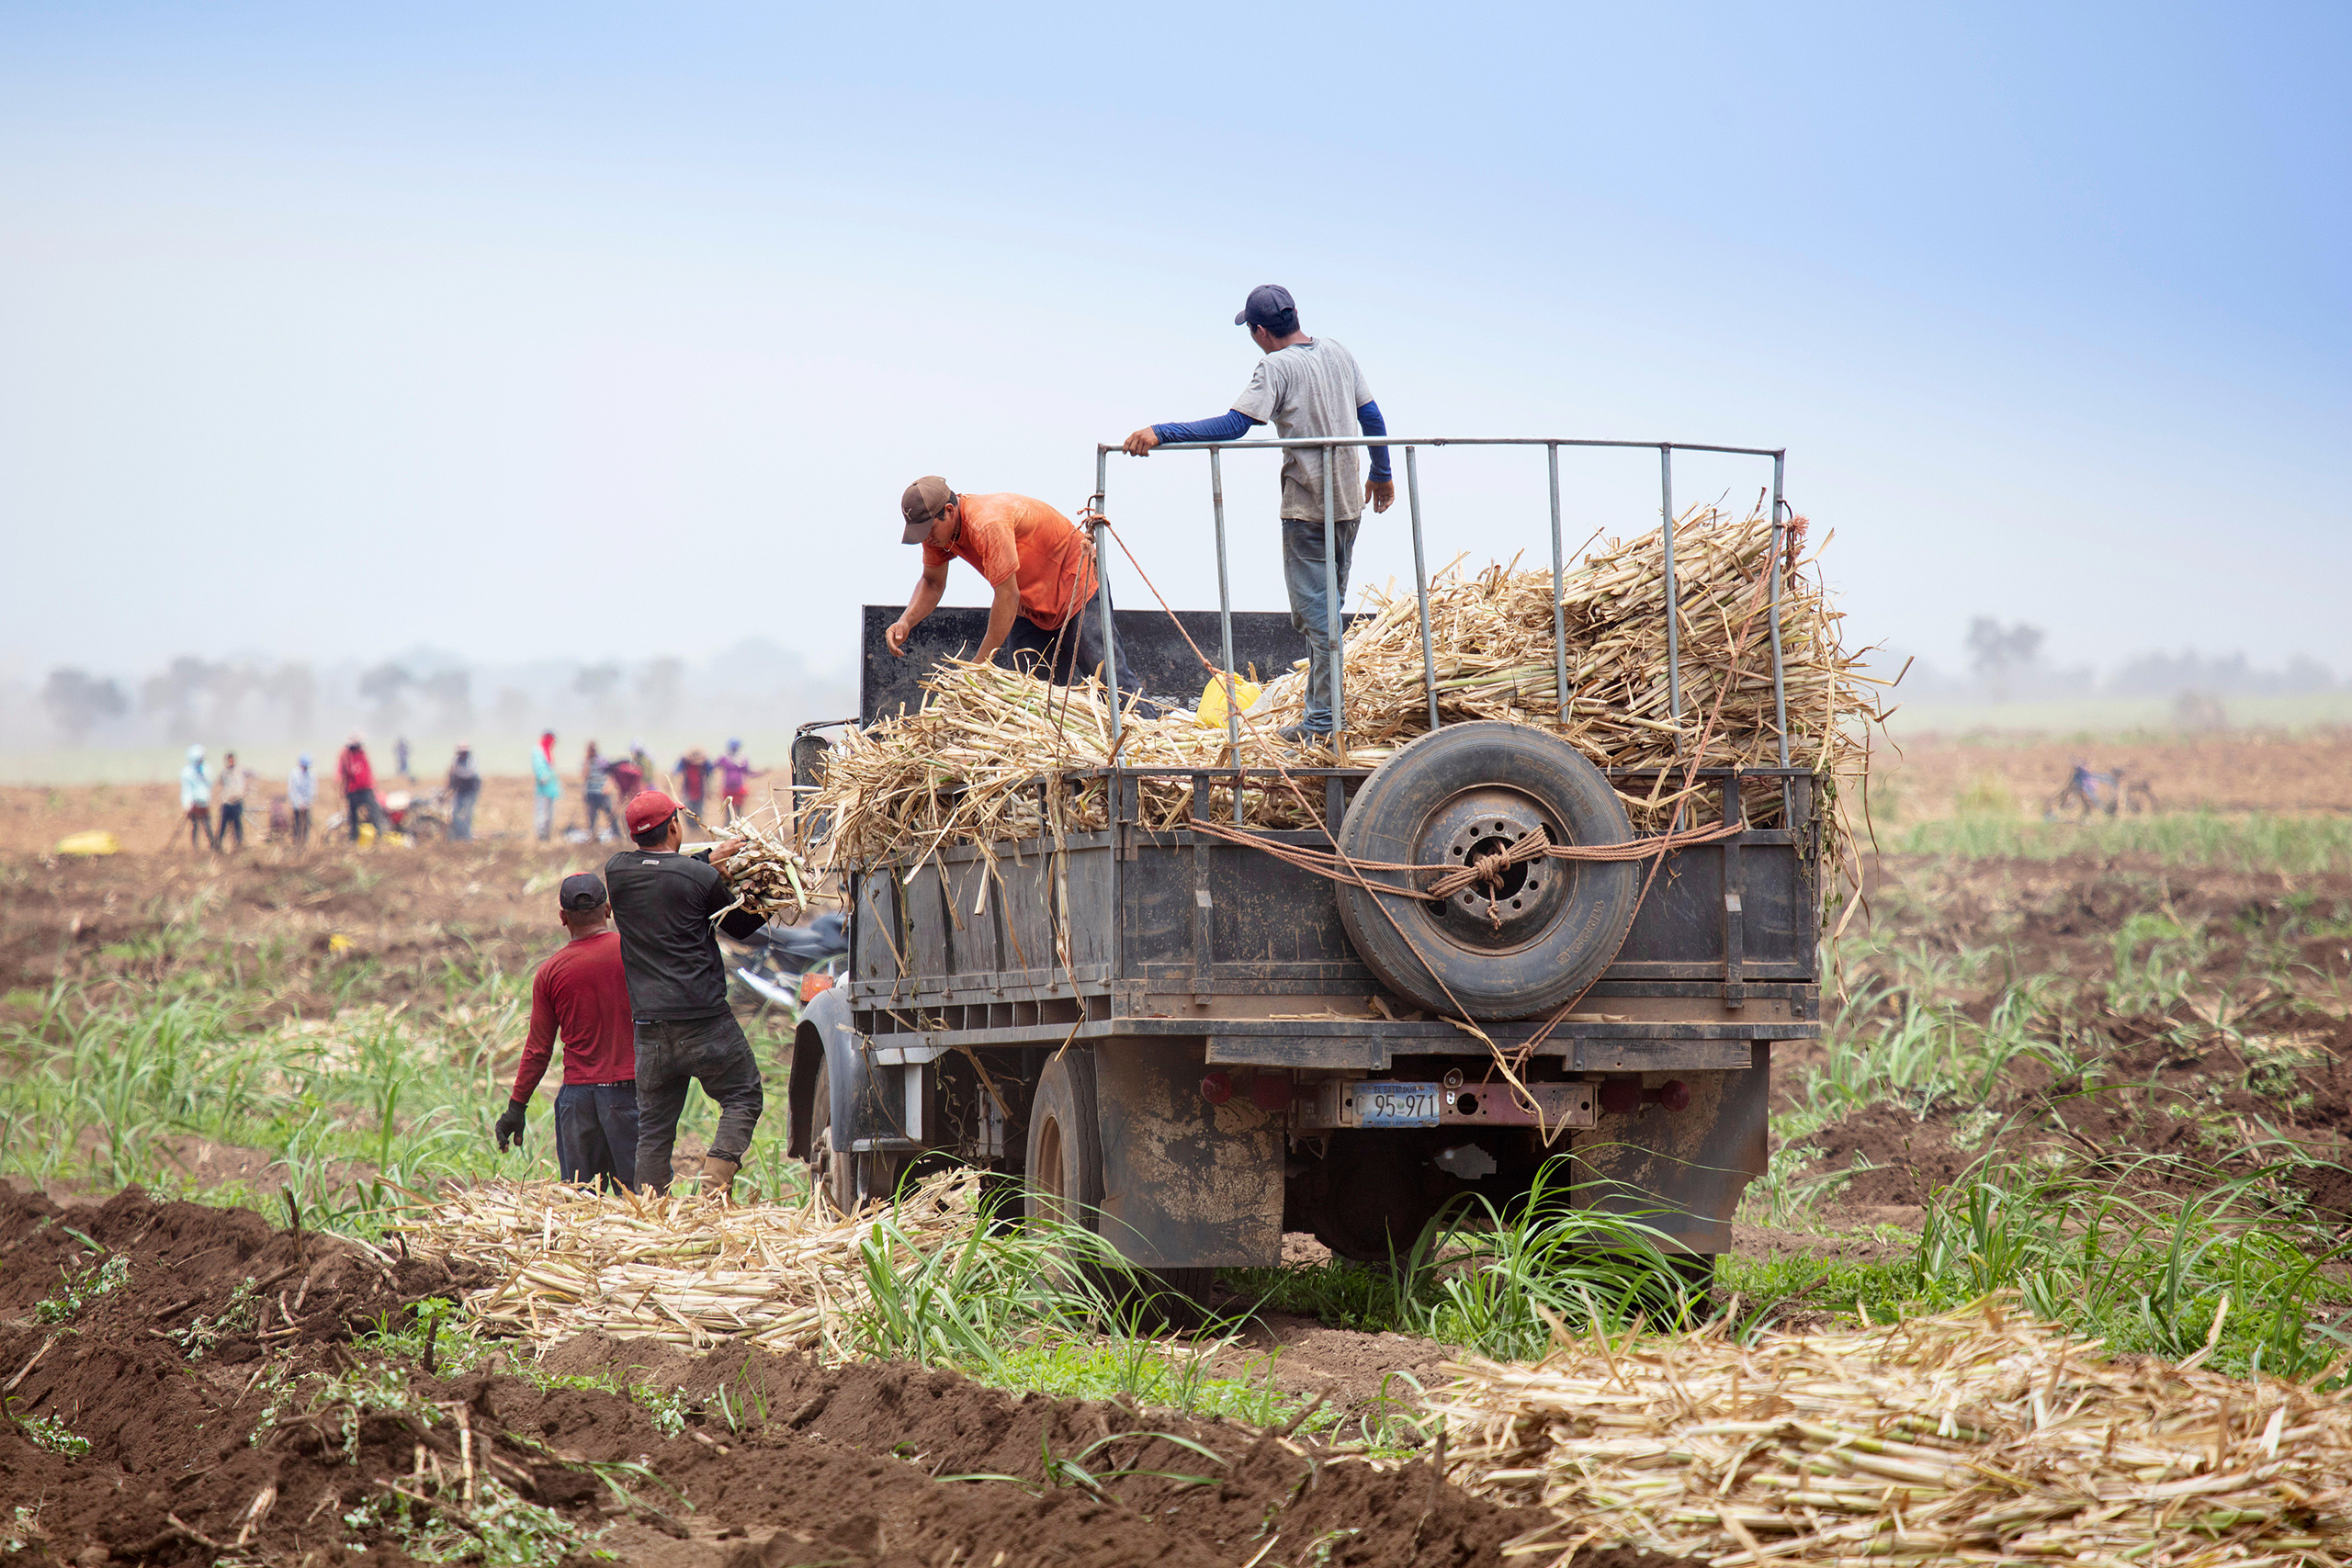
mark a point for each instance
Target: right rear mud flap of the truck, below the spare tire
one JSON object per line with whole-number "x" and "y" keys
{"x": 1681, "y": 1172}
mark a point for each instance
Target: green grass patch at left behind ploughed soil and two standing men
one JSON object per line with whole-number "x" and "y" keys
{"x": 114, "y": 1076}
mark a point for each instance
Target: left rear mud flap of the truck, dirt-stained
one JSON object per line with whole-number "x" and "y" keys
{"x": 1184, "y": 1184}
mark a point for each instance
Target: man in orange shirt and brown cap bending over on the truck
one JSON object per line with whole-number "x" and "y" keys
{"x": 1038, "y": 563}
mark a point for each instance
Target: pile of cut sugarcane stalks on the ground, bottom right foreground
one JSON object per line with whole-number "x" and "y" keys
{"x": 1967, "y": 1438}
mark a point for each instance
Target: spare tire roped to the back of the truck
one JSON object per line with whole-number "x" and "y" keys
{"x": 1514, "y": 949}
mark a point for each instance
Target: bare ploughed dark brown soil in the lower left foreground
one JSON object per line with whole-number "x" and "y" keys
{"x": 272, "y": 1438}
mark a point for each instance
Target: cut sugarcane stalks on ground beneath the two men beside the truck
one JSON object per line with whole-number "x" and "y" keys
{"x": 674, "y": 1268}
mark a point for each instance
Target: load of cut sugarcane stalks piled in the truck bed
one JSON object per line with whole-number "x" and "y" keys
{"x": 965, "y": 765}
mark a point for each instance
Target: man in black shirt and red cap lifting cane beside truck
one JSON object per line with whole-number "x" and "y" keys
{"x": 679, "y": 993}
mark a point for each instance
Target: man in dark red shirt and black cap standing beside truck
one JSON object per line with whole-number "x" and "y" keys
{"x": 582, "y": 996}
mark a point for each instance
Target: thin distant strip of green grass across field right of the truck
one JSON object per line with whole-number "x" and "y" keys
{"x": 2297, "y": 845}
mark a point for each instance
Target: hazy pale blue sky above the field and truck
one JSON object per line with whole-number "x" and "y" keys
{"x": 617, "y": 330}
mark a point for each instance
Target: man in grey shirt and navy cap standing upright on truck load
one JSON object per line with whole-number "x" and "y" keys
{"x": 1307, "y": 387}
